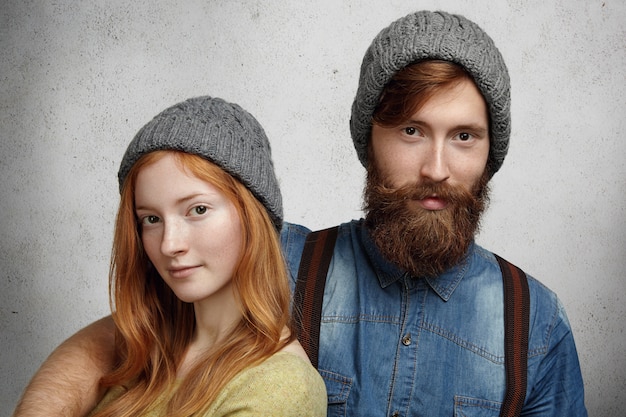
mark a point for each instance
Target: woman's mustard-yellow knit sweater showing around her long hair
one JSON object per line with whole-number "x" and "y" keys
{"x": 283, "y": 385}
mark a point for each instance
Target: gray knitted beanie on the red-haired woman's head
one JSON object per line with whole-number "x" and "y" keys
{"x": 220, "y": 132}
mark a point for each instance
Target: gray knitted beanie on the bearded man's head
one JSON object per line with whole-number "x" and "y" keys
{"x": 434, "y": 35}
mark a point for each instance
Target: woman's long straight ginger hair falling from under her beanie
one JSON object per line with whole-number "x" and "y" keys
{"x": 154, "y": 328}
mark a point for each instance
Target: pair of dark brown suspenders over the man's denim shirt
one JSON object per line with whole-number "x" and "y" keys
{"x": 309, "y": 295}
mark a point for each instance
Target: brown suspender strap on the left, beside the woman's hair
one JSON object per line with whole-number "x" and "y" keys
{"x": 309, "y": 292}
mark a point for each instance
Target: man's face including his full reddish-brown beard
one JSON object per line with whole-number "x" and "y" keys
{"x": 427, "y": 184}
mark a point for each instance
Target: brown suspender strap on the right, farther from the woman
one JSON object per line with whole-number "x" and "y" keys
{"x": 516, "y": 321}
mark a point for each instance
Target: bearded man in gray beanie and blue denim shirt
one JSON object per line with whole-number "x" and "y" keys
{"x": 413, "y": 310}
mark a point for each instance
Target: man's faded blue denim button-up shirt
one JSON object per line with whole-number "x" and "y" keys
{"x": 394, "y": 345}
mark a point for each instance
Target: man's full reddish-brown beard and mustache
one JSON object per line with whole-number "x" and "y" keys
{"x": 423, "y": 242}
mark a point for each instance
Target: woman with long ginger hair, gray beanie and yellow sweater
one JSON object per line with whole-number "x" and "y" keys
{"x": 199, "y": 288}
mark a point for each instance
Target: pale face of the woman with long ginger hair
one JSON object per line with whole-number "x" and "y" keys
{"x": 190, "y": 231}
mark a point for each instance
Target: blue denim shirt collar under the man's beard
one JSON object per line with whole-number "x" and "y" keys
{"x": 388, "y": 273}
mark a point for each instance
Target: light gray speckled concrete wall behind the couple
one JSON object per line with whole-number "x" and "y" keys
{"x": 78, "y": 79}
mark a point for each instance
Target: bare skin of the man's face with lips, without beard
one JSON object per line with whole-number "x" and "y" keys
{"x": 446, "y": 140}
